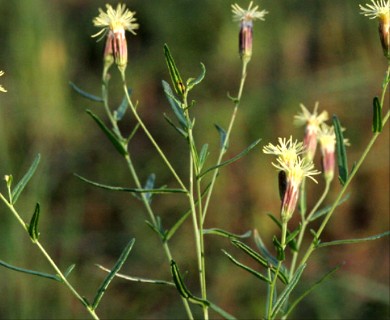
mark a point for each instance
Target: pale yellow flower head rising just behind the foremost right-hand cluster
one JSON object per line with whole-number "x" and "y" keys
{"x": 312, "y": 122}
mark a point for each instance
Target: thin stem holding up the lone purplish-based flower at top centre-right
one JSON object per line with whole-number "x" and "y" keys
{"x": 226, "y": 141}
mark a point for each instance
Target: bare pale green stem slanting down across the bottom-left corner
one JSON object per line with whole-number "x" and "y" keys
{"x": 50, "y": 260}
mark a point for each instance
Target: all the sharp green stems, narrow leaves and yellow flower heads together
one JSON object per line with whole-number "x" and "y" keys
{"x": 280, "y": 269}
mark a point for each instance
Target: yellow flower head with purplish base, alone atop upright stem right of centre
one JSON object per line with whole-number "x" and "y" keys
{"x": 246, "y": 18}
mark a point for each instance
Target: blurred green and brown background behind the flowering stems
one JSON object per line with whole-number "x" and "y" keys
{"x": 305, "y": 51}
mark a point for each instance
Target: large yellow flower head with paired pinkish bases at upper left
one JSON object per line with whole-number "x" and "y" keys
{"x": 114, "y": 23}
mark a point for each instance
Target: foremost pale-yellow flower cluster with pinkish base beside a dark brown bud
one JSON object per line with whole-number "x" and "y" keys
{"x": 294, "y": 169}
